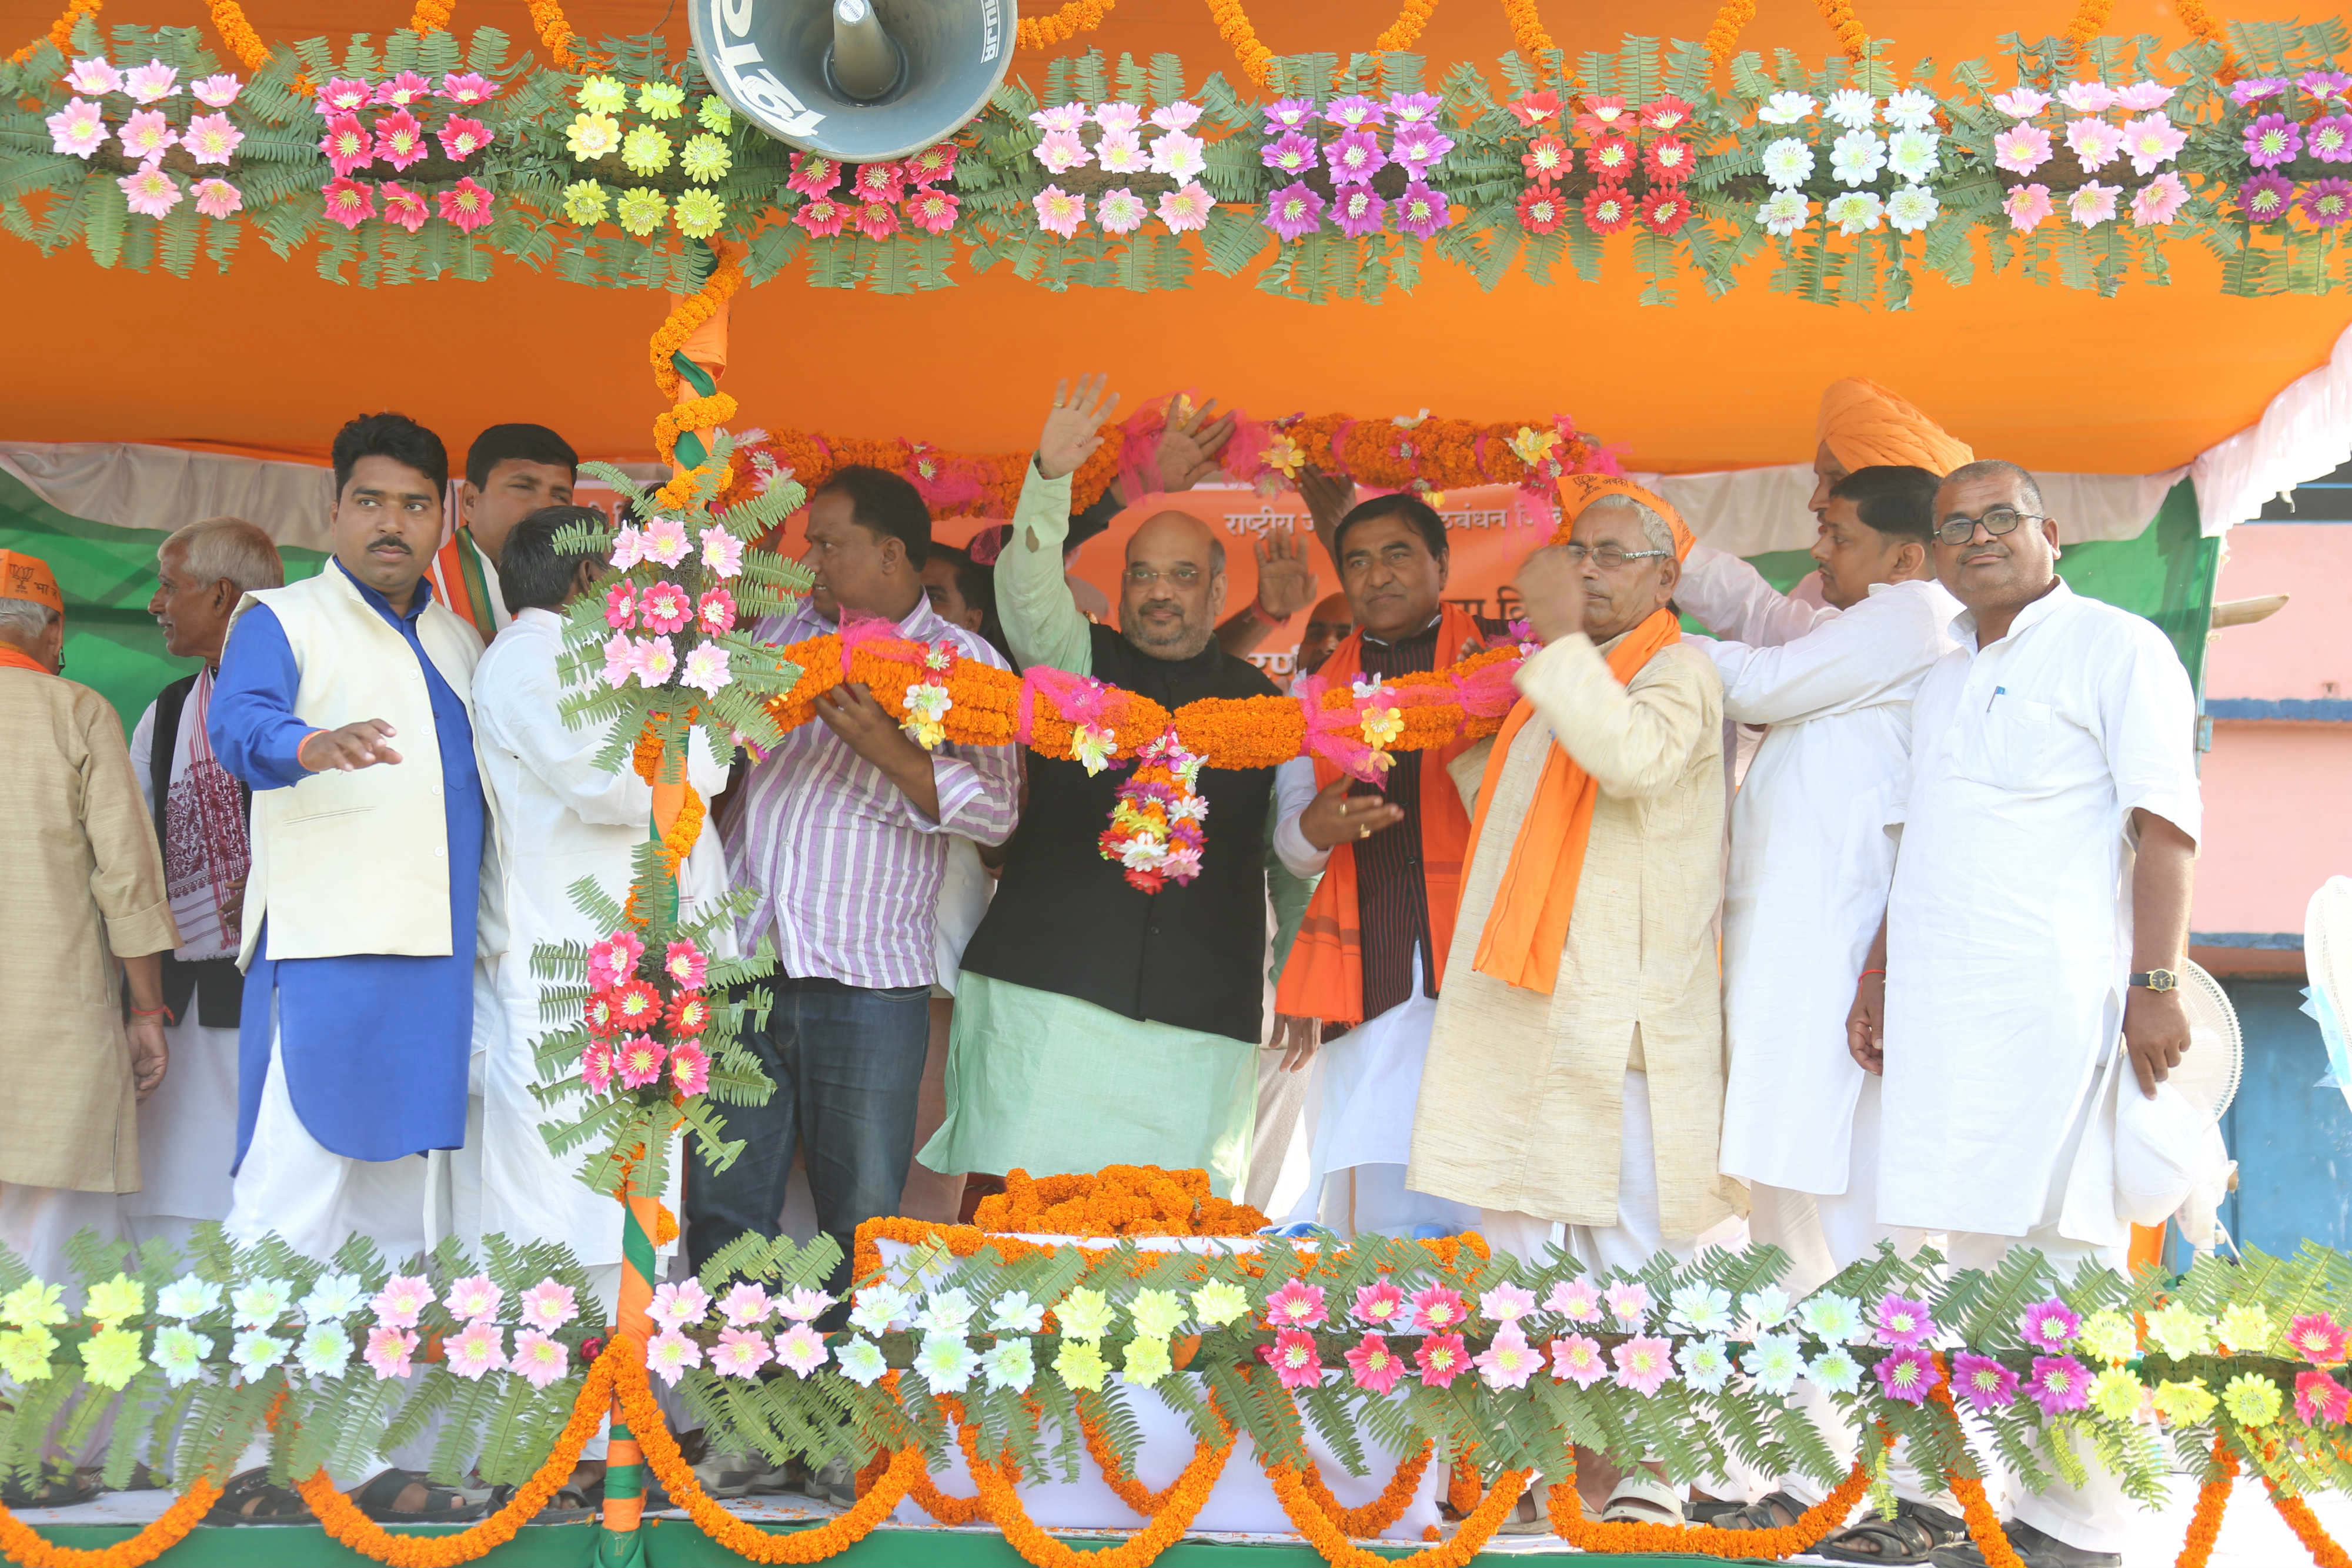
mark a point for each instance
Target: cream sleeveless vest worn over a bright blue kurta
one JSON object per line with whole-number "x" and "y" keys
{"x": 359, "y": 862}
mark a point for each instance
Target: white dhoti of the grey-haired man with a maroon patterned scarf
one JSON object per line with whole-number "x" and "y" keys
{"x": 187, "y": 1139}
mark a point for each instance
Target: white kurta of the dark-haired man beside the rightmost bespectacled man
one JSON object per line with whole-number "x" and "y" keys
{"x": 1810, "y": 869}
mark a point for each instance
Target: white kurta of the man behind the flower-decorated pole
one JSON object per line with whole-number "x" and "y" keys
{"x": 561, "y": 819}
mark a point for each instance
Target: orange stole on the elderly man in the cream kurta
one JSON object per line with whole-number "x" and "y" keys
{"x": 1530, "y": 918}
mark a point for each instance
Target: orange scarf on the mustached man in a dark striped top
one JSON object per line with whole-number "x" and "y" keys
{"x": 1325, "y": 972}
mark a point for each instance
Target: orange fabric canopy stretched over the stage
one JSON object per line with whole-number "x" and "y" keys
{"x": 272, "y": 356}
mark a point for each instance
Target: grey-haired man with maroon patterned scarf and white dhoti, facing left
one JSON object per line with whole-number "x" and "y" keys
{"x": 189, "y": 1127}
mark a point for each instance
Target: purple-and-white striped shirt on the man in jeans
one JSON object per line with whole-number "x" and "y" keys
{"x": 848, "y": 871}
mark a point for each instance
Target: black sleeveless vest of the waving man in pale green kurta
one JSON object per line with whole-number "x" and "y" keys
{"x": 1064, "y": 920}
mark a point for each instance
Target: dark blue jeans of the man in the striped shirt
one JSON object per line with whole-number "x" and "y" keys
{"x": 848, "y": 1066}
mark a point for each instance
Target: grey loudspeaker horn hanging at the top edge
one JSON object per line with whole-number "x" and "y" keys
{"x": 860, "y": 81}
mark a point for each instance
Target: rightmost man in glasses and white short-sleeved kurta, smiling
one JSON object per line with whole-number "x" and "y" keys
{"x": 2040, "y": 904}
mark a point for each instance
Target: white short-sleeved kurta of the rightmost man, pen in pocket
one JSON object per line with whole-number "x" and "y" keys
{"x": 2010, "y": 923}
